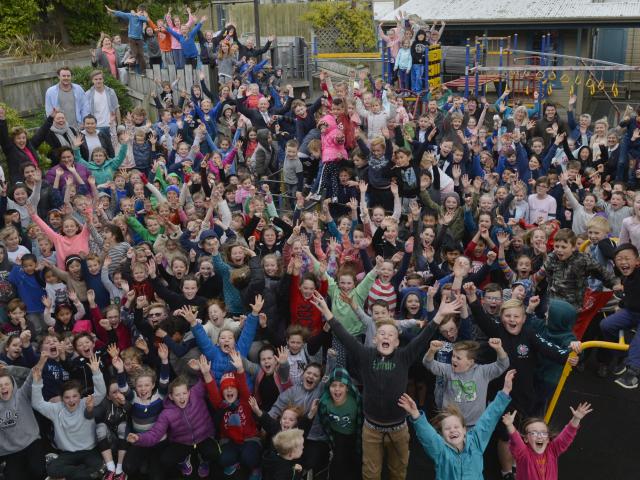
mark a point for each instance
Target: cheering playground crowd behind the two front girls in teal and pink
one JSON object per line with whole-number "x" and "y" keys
{"x": 253, "y": 284}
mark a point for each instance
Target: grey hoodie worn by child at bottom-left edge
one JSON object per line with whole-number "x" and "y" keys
{"x": 18, "y": 425}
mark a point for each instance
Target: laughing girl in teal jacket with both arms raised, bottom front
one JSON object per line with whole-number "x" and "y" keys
{"x": 456, "y": 453}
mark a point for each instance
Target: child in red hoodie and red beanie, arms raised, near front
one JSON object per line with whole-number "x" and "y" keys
{"x": 240, "y": 441}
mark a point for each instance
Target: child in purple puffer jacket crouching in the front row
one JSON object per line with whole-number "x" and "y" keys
{"x": 188, "y": 426}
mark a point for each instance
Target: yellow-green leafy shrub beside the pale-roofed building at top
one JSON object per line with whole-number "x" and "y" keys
{"x": 355, "y": 25}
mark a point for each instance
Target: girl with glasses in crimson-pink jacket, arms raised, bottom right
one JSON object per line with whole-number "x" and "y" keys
{"x": 537, "y": 455}
